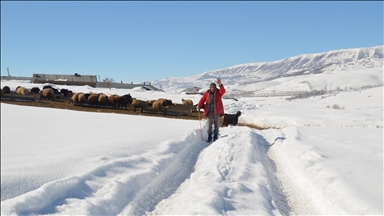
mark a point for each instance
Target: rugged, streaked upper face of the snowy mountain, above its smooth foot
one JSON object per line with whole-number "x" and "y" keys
{"x": 331, "y": 62}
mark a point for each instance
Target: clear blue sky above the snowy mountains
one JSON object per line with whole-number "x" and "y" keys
{"x": 133, "y": 41}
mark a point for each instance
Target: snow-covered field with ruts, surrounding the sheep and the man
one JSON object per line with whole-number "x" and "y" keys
{"x": 314, "y": 160}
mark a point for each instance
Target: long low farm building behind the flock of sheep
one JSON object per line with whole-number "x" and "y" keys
{"x": 75, "y": 79}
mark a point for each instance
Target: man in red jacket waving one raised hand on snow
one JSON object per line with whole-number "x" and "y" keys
{"x": 213, "y": 107}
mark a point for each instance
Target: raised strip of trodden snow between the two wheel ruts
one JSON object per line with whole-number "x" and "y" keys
{"x": 233, "y": 176}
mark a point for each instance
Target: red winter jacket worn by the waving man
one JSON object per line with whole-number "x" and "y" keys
{"x": 219, "y": 108}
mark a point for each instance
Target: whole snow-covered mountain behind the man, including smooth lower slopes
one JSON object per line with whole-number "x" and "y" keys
{"x": 354, "y": 68}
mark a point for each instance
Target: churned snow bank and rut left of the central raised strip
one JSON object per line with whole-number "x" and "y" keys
{"x": 128, "y": 186}
